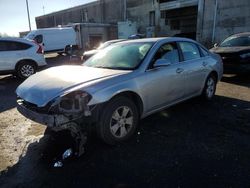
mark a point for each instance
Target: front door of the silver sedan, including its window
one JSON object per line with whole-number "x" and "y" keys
{"x": 164, "y": 85}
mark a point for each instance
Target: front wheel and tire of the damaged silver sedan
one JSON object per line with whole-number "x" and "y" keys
{"x": 118, "y": 121}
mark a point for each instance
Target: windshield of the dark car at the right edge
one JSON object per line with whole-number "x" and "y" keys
{"x": 234, "y": 41}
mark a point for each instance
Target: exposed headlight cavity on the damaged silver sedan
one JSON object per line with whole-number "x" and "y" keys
{"x": 71, "y": 103}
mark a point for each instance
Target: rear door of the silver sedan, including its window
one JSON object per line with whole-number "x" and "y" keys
{"x": 195, "y": 66}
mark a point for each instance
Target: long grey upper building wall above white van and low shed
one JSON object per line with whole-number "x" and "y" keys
{"x": 101, "y": 11}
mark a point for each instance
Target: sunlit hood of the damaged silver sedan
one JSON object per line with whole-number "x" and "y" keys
{"x": 44, "y": 86}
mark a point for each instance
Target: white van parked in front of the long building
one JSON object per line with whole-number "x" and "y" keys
{"x": 54, "y": 39}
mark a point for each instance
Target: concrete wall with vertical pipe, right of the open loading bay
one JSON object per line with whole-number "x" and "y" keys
{"x": 218, "y": 19}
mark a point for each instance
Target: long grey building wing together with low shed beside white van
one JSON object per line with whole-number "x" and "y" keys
{"x": 95, "y": 21}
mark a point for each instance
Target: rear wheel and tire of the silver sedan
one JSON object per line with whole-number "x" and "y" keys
{"x": 209, "y": 87}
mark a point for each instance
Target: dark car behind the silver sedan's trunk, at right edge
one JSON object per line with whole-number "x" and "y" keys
{"x": 235, "y": 52}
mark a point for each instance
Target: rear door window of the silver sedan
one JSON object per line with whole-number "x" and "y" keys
{"x": 189, "y": 50}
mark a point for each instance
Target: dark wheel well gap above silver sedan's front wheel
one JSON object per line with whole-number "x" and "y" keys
{"x": 134, "y": 97}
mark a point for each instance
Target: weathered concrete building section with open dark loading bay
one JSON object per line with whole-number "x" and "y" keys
{"x": 208, "y": 21}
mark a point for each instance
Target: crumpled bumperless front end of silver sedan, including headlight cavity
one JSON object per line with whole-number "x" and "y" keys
{"x": 70, "y": 107}
